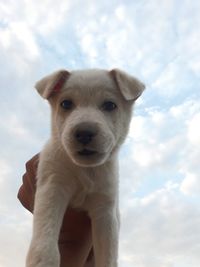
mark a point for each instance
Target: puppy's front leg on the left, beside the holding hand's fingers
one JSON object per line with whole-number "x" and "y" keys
{"x": 51, "y": 201}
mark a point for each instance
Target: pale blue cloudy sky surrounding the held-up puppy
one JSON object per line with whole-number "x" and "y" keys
{"x": 154, "y": 40}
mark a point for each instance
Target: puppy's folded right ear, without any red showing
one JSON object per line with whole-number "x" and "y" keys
{"x": 130, "y": 87}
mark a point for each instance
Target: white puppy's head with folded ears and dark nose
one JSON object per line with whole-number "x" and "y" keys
{"x": 91, "y": 111}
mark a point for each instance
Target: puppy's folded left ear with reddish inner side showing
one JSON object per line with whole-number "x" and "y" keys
{"x": 52, "y": 83}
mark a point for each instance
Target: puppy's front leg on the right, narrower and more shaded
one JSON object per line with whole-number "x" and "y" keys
{"x": 105, "y": 234}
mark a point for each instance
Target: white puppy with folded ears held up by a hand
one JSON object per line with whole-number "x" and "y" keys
{"x": 78, "y": 167}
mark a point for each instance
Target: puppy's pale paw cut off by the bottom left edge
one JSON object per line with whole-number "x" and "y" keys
{"x": 43, "y": 256}
